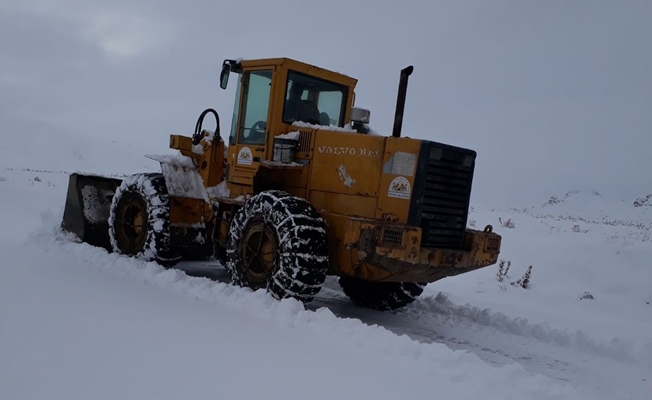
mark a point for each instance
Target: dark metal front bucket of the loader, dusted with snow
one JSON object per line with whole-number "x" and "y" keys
{"x": 87, "y": 208}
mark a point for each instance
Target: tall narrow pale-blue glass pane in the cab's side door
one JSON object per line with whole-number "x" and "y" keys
{"x": 256, "y": 89}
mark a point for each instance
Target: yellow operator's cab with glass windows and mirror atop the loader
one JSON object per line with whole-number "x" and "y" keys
{"x": 273, "y": 97}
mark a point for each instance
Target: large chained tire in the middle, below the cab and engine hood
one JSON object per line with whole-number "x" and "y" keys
{"x": 278, "y": 241}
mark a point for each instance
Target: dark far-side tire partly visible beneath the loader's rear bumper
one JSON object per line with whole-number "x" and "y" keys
{"x": 383, "y": 296}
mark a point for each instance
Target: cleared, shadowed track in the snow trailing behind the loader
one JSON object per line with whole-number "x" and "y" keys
{"x": 501, "y": 340}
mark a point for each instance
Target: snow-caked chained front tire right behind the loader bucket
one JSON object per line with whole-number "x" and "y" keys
{"x": 139, "y": 220}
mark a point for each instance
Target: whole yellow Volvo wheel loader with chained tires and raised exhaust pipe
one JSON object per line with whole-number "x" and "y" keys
{"x": 304, "y": 189}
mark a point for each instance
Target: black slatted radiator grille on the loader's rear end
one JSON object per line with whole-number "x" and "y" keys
{"x": 446, "y": 194}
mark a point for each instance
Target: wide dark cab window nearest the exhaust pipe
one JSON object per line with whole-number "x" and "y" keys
{"x": 313, "y": 100}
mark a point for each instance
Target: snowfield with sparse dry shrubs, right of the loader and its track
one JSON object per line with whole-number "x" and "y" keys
{"x": 570, "y": 255}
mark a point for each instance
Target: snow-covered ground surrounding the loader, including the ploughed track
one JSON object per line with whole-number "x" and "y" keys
{"x": 79, "y": 323}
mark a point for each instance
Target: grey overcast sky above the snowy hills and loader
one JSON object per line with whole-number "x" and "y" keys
{"x": 553, "y": 95}
